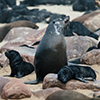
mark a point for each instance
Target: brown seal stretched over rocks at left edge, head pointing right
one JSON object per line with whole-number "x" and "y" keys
{"x": 6, "y": 28}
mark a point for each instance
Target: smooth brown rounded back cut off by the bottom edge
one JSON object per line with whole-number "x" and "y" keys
{"x": 69, "y": 95}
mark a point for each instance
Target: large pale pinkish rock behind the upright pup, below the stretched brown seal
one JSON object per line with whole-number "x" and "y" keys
{"x": 27, "y": 37}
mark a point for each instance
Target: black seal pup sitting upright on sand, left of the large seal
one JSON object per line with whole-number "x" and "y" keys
{"x": 18, "y": 67}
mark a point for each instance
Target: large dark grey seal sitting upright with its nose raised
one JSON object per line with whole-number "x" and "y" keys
{"x": 51, "y": 54}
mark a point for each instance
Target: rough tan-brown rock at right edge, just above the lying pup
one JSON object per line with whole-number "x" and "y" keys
{"x": 91, "y": 57}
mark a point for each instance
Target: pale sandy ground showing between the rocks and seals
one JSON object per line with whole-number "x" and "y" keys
{"x": 67, "y": 10}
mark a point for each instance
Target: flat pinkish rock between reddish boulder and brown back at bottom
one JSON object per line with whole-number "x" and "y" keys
{"x": 46, "y": 92}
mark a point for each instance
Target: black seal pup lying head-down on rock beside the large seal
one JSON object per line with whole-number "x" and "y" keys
{"x": 78, "y": 72}
